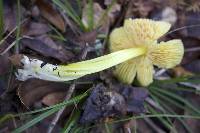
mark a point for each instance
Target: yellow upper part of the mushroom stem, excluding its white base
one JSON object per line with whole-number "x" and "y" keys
{"x": 101, "y": 63}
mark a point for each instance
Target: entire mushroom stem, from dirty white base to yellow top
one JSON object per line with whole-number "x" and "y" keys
{"x": 34, "y": 68}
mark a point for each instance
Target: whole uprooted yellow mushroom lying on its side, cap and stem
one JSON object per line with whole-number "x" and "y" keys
{"x": 135, "y": 44}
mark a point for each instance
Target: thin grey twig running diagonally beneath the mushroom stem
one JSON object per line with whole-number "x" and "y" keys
{"x": 67, "y": 97}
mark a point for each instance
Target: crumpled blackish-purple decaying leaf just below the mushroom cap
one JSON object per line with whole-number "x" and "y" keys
{"x": 106, "y": 103}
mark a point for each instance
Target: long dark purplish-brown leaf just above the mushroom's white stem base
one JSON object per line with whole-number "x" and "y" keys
{"x": 47, "y": 47}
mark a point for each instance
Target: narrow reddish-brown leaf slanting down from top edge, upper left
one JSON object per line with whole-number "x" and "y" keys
{"x": 48, "y": 12}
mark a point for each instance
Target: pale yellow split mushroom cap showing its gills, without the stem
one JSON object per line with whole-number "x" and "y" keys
{"x": 144, "y": 33}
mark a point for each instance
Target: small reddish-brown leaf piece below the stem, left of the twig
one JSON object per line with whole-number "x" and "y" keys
{"x": 53, "y": 98}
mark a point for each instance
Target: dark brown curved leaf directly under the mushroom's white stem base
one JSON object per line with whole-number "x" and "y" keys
{"x": 33, "y": 90}
